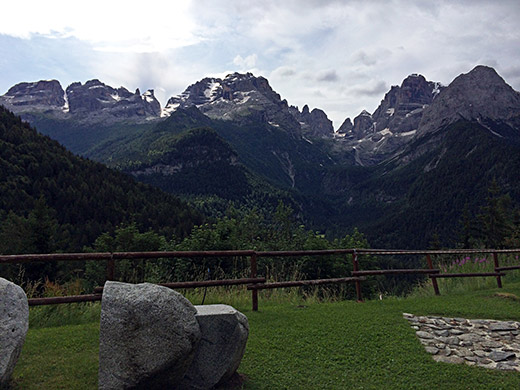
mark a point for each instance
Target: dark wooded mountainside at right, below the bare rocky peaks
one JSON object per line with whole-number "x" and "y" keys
{"x": 406, "y": 205}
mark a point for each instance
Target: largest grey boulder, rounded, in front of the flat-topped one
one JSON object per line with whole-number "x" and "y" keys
{"x": 148, "y": 337}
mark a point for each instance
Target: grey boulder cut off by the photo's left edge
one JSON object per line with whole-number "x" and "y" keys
{"x": 14, "y": 322}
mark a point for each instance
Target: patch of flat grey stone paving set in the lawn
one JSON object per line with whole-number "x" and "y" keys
{"x": 485, "y": 343}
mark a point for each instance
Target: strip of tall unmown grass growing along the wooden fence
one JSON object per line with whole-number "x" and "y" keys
{"x": 239, "y": 296}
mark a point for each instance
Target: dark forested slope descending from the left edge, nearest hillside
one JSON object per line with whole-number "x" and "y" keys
{"x": 86, "y": 198}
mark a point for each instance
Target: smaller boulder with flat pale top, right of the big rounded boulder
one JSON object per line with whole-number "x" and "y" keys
{"x": 224, "y": 337}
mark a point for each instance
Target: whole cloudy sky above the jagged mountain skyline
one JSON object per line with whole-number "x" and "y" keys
{"x": 340, "y": 56}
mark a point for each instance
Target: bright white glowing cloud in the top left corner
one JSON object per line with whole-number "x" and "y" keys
{"x": 113, "y": 25}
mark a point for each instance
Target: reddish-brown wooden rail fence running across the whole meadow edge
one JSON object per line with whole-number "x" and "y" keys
{"x": 254, "y": 282}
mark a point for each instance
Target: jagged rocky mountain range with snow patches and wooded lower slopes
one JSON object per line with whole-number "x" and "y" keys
{"x": 400, "y": 174}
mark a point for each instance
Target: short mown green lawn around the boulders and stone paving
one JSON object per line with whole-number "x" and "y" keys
{"x": 338, "y": 345}
